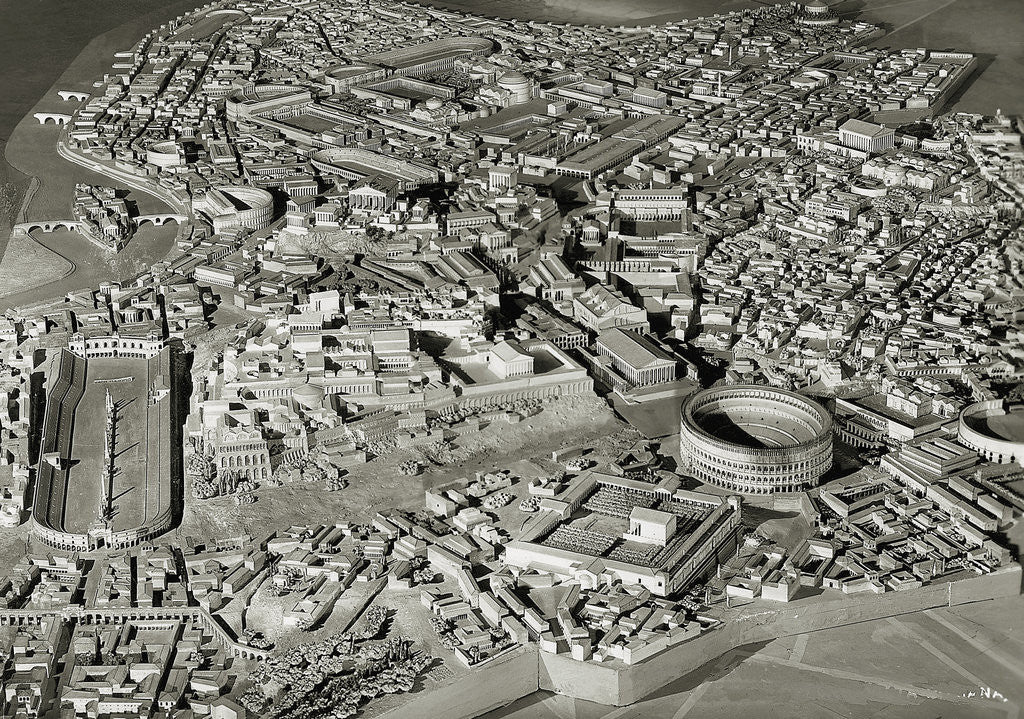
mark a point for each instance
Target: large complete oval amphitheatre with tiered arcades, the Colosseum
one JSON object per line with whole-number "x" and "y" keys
{"x": 755, "y": 440}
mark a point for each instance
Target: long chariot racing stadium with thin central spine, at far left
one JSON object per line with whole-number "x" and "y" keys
{"x": 69, "y": 493}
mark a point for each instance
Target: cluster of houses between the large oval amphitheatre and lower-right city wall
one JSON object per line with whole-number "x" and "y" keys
{"x": 928, "y": 517}
